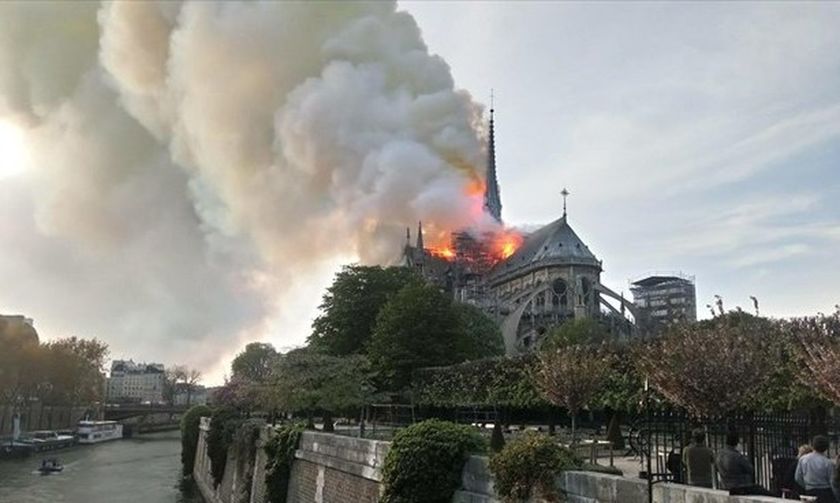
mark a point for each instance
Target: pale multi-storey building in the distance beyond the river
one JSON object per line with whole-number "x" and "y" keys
{"x": 135, "y": 382}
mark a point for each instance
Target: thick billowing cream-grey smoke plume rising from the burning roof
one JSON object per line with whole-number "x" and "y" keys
{"x": 195, "y": 158}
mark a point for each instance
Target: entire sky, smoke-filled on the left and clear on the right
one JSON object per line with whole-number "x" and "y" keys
{"x": 177, "y": 211}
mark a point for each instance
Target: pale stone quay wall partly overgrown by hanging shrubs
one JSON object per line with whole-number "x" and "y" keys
{"x": 331, "y": 468}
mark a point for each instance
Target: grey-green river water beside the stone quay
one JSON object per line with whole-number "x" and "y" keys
{"x": 143, "y": 469}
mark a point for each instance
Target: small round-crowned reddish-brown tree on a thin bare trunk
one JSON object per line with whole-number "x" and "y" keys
{"x": 570, "y": 375}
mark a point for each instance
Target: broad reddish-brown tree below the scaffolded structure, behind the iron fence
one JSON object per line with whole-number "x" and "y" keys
{"x": 714, "y": 366}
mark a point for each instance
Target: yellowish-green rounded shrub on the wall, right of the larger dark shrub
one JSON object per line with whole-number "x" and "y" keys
{"x": 528, "y": 465}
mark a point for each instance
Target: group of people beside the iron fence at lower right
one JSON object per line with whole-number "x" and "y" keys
{"x": 813, "y": 474}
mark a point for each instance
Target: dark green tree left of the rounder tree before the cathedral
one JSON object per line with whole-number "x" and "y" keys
{"x": 350, "y": 307}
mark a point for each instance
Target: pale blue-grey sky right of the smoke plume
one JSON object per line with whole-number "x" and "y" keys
{"x": 701, "y": 137}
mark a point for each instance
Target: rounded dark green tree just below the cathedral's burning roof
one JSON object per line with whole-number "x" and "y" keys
{"x": 417, "y": 328}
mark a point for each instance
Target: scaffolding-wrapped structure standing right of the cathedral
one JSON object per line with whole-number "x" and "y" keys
{"x": 663, "y": 300}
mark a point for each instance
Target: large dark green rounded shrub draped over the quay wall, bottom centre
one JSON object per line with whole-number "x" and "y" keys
{"x": 425, "y": 461}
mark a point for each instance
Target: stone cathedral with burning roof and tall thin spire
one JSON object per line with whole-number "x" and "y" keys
{"x": 528, "y": 285}
